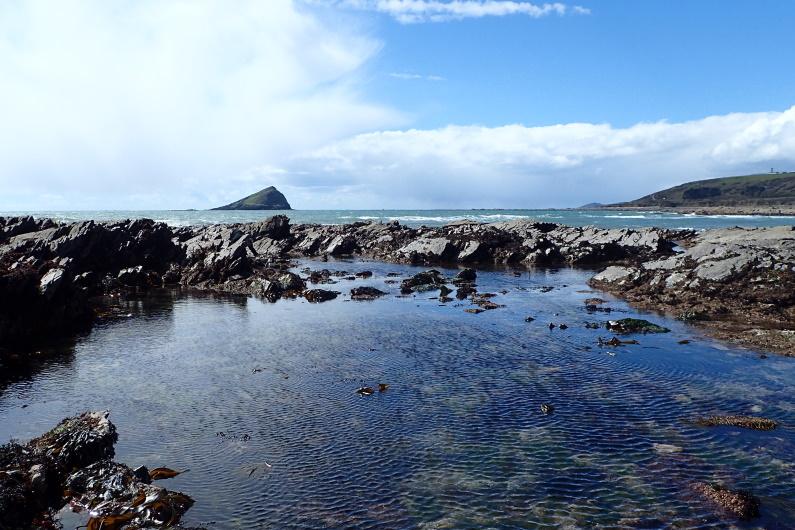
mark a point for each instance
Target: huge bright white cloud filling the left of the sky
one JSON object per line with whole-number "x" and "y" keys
{"x": 110, "y": 104}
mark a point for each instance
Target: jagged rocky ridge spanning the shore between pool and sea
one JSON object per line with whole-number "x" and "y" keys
{"x": 56, "y": 279}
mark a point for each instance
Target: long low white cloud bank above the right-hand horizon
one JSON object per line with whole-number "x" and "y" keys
{"x": 536, "y": 167}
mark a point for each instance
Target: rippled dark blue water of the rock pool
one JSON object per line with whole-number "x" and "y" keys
{"x": 258, "y": 400}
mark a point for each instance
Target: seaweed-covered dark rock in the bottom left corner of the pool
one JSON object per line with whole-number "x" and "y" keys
{"x": 71, "y": 464}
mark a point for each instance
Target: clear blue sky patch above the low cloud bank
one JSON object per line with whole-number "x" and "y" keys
{"x": 625, "y": 62}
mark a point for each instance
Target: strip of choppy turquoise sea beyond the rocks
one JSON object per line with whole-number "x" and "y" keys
{"x": 603, "y": 218}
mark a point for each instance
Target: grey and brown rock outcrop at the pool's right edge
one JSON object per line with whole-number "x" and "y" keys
{"x": 738, "y": 283}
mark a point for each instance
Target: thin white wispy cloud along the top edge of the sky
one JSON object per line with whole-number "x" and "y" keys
{"x": 415, "y": 11}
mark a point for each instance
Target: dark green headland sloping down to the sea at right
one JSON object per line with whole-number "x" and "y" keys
{"x": 767, "y": 189}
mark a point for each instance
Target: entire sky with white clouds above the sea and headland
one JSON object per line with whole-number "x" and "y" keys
{"x": 152, "y": 104}
